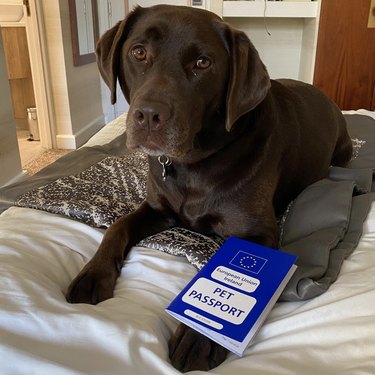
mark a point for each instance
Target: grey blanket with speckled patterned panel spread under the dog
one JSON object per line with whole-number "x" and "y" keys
{"x": 322, "y": 226}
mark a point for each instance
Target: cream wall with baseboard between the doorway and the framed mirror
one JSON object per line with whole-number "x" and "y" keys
{"x": 75, "y": 89}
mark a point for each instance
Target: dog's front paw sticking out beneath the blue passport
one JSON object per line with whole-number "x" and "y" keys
{"x": 189, "y": 351}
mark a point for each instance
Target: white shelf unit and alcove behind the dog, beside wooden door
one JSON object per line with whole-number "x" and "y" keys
{"x": 284, "y": 32}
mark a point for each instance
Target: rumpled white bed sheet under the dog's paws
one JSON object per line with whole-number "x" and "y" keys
{"x": 40, "y": 333}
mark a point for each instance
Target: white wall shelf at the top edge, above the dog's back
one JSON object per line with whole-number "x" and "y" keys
{"x": 275, "y": 9}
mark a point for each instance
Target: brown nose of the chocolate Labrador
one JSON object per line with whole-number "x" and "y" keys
{"x": 151, "y": 116}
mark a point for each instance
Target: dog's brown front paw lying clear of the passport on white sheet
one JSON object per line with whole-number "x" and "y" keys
{"x": 92, "y": 285}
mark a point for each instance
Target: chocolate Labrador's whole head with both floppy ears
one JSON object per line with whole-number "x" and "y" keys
{"x": 186, "y": 74}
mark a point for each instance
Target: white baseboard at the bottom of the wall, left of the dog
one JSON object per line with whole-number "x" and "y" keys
{"x": 73, "y": 141}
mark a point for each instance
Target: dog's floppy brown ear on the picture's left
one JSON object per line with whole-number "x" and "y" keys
{"x": 108, "y": 51}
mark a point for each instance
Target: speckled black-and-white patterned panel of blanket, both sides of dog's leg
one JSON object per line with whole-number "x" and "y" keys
{"x": 104, "y": 192}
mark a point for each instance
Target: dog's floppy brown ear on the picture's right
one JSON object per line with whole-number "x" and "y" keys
{"x": 249, "y": 81}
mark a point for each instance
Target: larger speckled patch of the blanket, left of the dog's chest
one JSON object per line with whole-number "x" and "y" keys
{"x": 98, "y": 195}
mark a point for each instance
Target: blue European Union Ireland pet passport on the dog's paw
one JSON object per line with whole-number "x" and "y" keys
{"x": 229, "y": 299}
